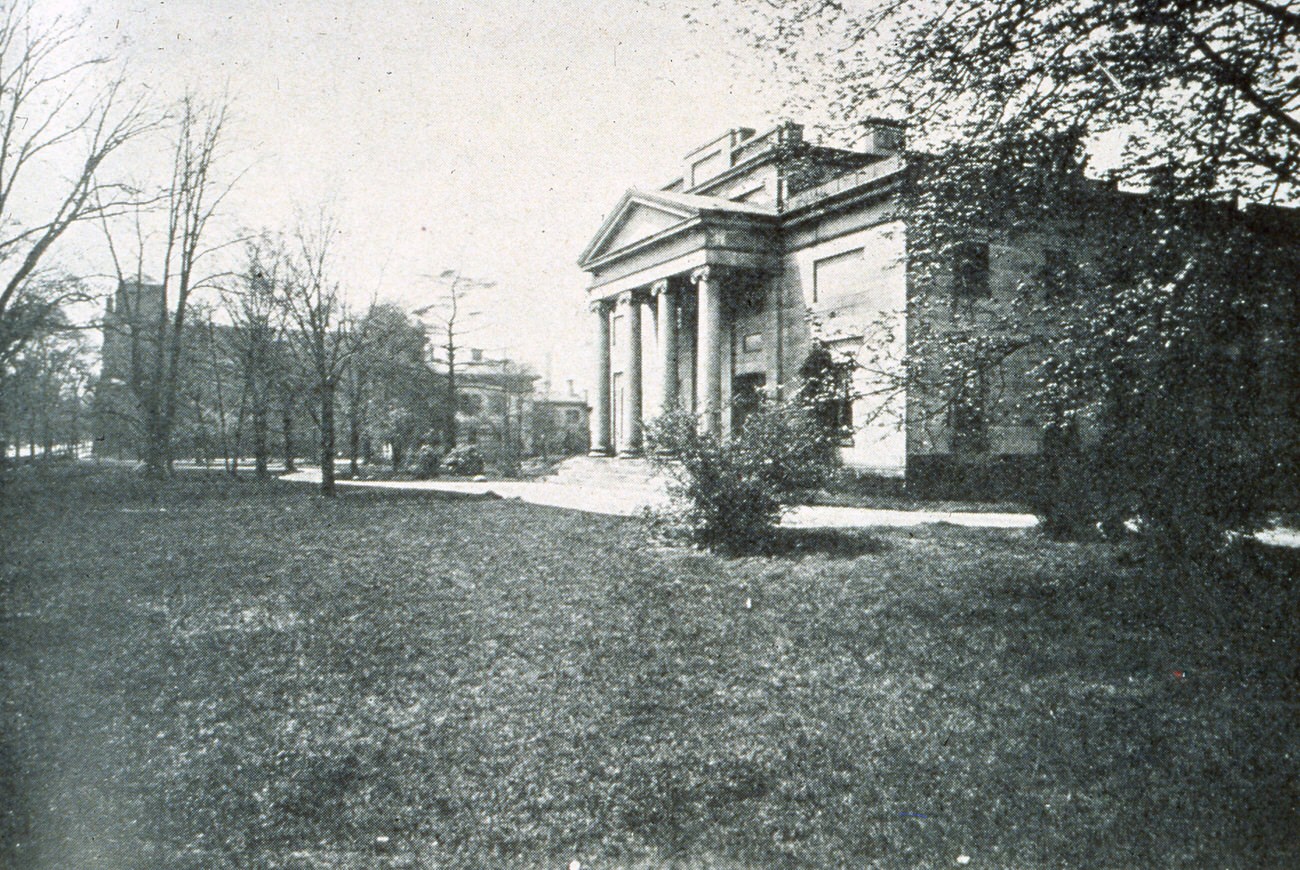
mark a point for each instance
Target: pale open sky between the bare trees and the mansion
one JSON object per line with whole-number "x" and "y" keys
{"x": 487, "y": 137}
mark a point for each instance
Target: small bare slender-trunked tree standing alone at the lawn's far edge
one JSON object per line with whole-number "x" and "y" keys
{"x": 324, "y": 335}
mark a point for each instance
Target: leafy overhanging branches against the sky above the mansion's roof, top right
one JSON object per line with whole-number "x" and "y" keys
{"x": 1204, "y": 92}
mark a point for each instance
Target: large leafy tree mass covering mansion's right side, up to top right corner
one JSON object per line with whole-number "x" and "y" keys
{"x": 1159, "y": 296}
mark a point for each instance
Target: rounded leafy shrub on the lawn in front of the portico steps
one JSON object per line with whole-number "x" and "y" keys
{"x": 730, "y": 494}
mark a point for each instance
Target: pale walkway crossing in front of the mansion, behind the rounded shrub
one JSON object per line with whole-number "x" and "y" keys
{"x": 630, "y": 504}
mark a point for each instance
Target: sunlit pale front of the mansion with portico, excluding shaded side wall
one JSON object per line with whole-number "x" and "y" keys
{"x": 700, "y": 289}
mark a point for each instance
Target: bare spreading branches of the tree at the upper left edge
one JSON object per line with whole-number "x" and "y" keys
{"x": 51, "y": 116}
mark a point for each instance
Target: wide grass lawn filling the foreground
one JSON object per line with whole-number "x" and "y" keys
{"x": 216, "y": 674}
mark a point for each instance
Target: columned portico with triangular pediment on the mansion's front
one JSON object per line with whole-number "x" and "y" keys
{"x": 668, "y": 270}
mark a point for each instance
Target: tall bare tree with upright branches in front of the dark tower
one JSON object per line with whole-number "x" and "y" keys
{"x": 157, "y": 315}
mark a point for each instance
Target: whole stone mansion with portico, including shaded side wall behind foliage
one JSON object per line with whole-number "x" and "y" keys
{"x": 716, "y": 288}
